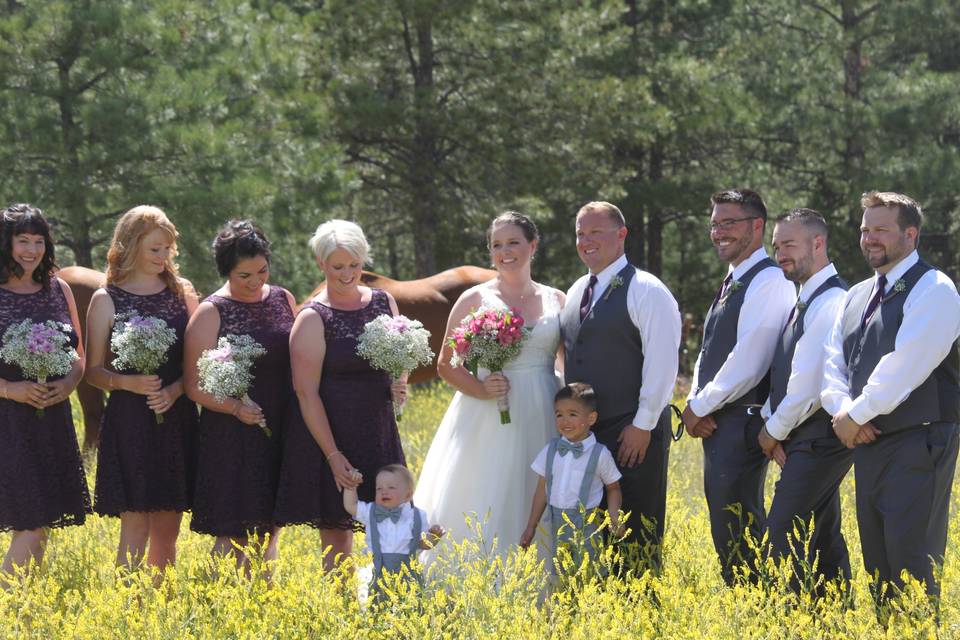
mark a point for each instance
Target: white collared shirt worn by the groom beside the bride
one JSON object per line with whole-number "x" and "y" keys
{"x": 654, "y": 312}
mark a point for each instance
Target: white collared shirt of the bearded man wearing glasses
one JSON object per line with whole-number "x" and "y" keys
{"x": 766, "y": 305}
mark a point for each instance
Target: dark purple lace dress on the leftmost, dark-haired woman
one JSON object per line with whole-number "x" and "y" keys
{"x": 42, "y": 483}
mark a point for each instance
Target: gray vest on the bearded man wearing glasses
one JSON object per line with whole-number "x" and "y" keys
{"x": 720, "y": 336}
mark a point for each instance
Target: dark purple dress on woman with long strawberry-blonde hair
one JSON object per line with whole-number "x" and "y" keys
{"x": 142, "y": 465}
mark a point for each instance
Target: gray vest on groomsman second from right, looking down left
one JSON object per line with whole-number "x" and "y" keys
{"x": 819, "y": 424}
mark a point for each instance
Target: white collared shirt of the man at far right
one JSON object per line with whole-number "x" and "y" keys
{"x": 931, "y": 324}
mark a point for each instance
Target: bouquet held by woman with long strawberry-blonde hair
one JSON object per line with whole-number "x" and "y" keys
{"x": 141, "y": 344}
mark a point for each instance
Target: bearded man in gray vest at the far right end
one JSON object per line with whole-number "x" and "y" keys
{"x": 890, "y": 382}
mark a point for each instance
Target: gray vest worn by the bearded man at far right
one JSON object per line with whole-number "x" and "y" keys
{"x": 937, "y": 399}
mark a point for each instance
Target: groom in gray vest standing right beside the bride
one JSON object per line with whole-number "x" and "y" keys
{"x": 621, "y": 331}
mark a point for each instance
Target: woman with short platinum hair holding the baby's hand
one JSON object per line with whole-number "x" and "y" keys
{"x": 344, "y": 418}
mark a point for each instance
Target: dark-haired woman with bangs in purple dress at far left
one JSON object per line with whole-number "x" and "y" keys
{"x": 42, "y": 484}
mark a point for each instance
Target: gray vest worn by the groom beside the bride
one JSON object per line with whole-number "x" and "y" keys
{"x": 605, "y": 351}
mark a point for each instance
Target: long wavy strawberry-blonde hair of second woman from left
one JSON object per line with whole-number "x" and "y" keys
{"x": 128, "y": 235}
